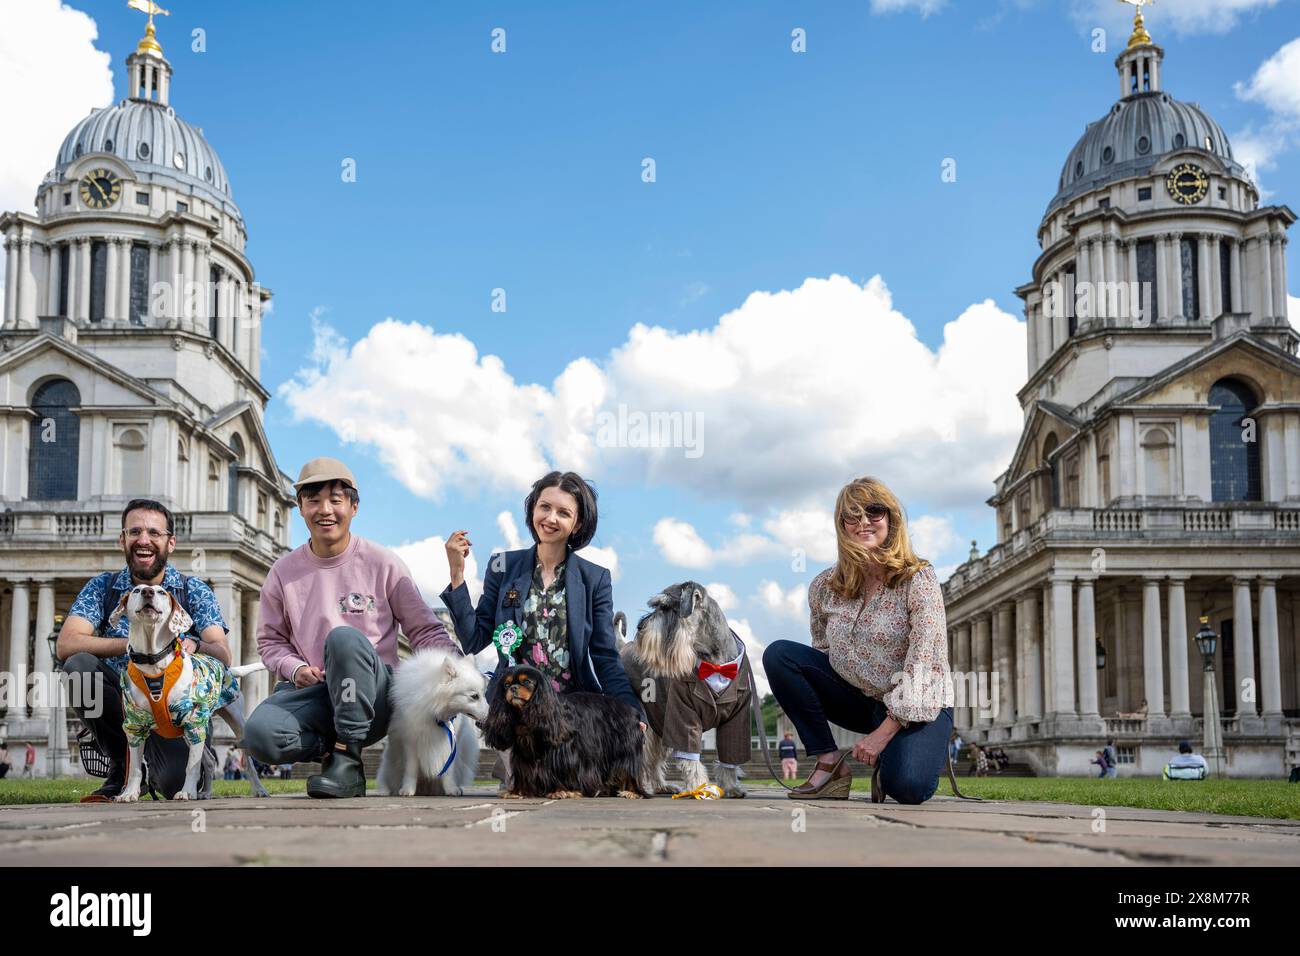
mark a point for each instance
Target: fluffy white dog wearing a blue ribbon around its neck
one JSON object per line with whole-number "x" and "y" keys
{"x": 437, "y": 698}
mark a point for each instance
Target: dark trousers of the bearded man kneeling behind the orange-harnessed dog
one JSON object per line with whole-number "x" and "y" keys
{"x": 166, "y": 759}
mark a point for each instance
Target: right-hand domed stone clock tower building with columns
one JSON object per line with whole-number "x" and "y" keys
{"x": 1158, "y": 478}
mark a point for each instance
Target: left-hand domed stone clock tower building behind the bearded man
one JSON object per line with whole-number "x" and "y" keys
{"x": 129, "y": 358}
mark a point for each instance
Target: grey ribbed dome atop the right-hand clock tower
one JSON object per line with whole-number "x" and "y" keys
{"x": 1137, "y": 133}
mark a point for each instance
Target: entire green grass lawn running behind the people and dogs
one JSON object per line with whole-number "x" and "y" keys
{"x": 1238, "y": 798}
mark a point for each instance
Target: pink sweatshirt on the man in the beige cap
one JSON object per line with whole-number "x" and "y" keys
{"x": 366, "y": 587}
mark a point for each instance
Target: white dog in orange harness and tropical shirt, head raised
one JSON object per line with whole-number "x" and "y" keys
{"x": 171, "y": 693}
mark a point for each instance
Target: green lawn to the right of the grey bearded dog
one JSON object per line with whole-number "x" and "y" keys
{"x": 1238, "y": 798}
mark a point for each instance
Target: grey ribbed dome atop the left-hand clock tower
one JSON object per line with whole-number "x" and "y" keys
{"x": 154, "y": 142}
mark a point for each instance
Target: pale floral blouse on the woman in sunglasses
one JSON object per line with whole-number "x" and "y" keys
{"x": 896, "y": 652}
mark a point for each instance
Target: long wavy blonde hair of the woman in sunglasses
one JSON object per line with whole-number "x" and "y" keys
{"x": 894, "y": 561}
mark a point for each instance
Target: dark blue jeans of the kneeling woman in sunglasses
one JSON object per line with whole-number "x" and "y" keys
{"x": 814, "y": 697}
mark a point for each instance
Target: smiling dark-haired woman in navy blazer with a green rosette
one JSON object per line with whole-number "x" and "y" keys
{"x": 561, "y": 514}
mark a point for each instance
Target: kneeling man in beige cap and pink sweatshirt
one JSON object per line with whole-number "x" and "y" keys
{"x": 328, "y": 630}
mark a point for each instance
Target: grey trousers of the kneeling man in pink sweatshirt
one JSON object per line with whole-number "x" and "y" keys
{"x": 302, "y": 724}
